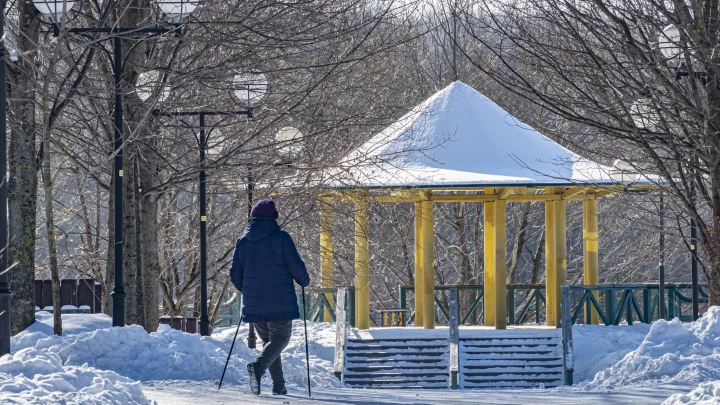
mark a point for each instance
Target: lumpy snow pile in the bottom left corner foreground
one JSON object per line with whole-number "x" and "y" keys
{"x": 34, "y": 376}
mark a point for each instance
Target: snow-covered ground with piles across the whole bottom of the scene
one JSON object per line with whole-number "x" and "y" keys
{"x": 93, "y": 363}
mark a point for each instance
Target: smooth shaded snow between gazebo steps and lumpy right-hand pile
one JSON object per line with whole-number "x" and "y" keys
{"x": 598, "y": 347}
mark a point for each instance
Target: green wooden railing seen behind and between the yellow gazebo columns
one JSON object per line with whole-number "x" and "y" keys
{"x": 615, "y": 303}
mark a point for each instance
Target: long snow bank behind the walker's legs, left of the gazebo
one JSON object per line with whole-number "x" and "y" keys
{"x": 170, "y": 354}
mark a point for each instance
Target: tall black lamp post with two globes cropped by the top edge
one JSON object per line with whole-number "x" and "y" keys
{"x": 176, "y": 10}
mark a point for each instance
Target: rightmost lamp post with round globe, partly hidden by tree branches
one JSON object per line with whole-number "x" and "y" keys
{"x": 671, "y": 44}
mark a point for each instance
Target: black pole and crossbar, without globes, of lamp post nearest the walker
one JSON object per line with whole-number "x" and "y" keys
{"x": 202, "y": 144}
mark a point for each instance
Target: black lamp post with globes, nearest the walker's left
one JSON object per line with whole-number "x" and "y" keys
{"x": 249, "y": 89}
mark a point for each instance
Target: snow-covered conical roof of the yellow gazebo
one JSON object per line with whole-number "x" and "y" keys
{"x": 459, "y": 137}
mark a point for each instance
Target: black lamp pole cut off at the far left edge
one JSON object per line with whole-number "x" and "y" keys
{"x": 5, "y": 292}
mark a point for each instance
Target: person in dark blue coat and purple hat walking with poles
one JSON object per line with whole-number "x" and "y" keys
{"x": 264, "y": 265}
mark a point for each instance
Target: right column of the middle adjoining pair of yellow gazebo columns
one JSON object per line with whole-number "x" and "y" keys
{"x": 500, "y": 223}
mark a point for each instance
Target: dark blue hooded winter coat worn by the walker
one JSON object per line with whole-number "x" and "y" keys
{"x": 264, "y": 265}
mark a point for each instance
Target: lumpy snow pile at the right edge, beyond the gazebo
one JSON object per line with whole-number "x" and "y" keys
{"x": 670, "y": 353}
